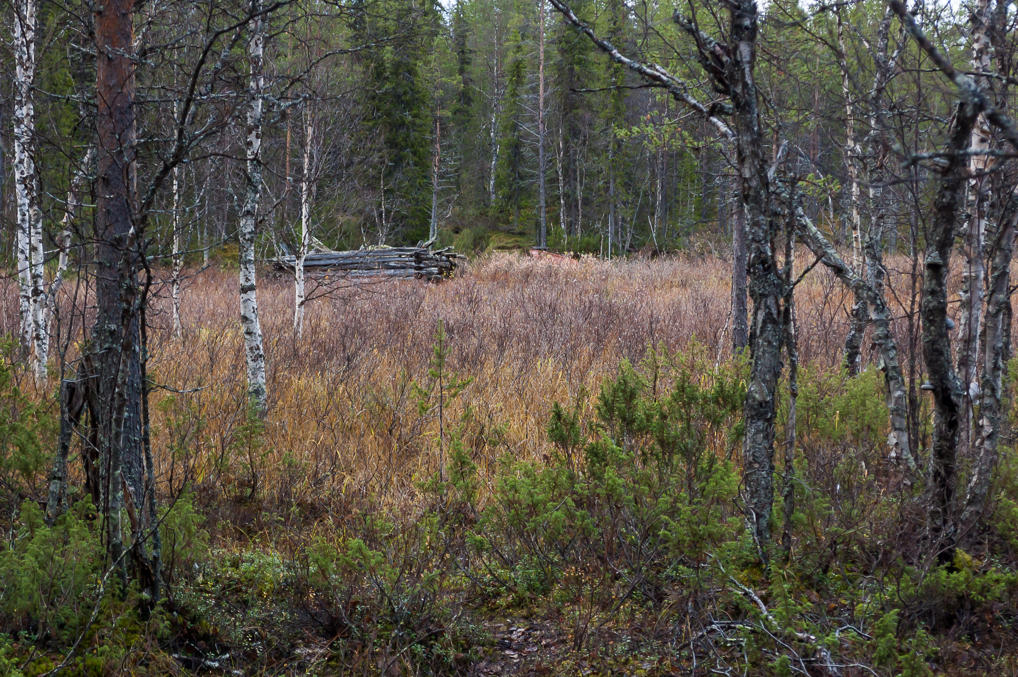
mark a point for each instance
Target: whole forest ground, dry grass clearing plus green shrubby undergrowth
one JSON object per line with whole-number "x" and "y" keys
{"x": 532, "y": 469}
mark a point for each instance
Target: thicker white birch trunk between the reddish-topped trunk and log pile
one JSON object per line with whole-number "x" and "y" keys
{"x": 254, "y": 351}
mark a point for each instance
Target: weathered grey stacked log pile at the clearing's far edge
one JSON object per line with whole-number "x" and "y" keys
{"x": 398, "y": 262}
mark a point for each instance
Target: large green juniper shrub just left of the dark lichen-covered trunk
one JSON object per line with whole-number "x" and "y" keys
{"x": 643, "y": 492}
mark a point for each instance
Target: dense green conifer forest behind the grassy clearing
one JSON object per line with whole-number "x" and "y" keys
{"x": 415, "y": 114}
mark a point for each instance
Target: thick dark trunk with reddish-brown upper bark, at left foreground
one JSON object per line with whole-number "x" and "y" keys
{"x": 116, "y": 341}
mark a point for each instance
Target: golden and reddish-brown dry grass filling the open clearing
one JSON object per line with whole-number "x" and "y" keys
{"x": 345, "y": 423}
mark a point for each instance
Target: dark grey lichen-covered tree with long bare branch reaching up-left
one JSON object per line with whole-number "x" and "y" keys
{"x": 731, "y": 70}
